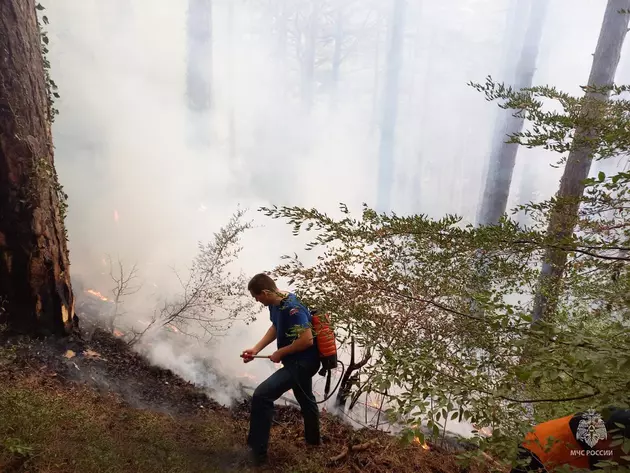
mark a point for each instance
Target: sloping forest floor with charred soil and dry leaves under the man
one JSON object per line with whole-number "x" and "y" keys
{"x": 68, "y": 405}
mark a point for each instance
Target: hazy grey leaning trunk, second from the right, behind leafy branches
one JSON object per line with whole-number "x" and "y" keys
{"x": 503, "y": 156}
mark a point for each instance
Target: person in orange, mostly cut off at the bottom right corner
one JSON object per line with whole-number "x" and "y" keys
{"x": 581, "y": 441}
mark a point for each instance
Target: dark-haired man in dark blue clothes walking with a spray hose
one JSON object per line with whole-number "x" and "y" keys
{"x": 290, "y": 327}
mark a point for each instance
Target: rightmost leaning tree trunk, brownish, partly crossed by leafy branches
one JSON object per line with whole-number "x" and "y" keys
{"x": 565, "y": 214}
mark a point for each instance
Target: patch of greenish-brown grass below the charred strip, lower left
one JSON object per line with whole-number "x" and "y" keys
{"x": 79, "y": 431}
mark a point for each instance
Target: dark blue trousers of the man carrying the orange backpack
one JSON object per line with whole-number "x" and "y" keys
{"x": 295, "y": 375}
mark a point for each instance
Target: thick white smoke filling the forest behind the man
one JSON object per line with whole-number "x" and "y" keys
{"x": 144, "y": 188}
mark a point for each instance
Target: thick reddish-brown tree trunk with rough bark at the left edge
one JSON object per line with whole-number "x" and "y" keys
{"x": 35, "y": 289}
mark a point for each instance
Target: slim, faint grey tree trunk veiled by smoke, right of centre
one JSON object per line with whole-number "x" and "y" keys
{"x": 390, "y": 107}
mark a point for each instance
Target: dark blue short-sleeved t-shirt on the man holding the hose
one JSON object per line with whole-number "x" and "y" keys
{"x": 289, "y": 314}
